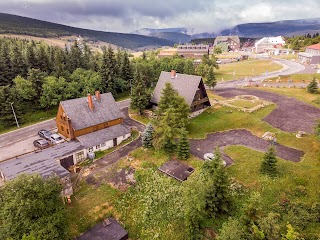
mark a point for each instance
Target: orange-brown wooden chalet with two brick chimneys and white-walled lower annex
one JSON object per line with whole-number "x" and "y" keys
{"x": 95, "y": 121}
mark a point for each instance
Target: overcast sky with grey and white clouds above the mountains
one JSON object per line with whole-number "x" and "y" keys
{"x": 129, "y": 15}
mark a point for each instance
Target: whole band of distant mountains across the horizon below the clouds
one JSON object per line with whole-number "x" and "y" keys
{"x": 151, "y": 38}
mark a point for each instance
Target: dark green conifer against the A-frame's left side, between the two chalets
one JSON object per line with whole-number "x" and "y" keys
{"x": 140, "y": 97}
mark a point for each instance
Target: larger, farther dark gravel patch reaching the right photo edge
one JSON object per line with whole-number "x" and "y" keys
{"x": 291, "y": 115}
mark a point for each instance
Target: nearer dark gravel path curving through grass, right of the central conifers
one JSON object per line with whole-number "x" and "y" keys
{"x": 240, "y": 137}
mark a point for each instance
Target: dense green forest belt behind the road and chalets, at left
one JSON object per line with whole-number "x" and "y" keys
{"x": 36, "y": 77}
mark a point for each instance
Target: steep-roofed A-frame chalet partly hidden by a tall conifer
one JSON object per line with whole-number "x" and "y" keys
{"x": 190, "y": 87}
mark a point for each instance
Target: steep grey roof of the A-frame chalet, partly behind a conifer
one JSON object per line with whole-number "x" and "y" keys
{"x": 186, "y": 85}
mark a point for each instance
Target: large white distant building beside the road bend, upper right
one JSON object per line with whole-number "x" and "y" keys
{"x": 269, "y": 44}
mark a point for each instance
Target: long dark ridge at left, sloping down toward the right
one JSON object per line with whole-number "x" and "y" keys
{"x": 28, "y": 26}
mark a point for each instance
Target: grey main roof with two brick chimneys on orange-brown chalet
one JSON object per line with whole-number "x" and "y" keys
{"x": 82, "y": 117}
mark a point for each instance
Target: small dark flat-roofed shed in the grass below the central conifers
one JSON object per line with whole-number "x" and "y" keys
{"x": 177, "y": 170}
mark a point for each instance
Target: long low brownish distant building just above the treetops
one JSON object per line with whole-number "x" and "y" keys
{"x": 193, "y": 51}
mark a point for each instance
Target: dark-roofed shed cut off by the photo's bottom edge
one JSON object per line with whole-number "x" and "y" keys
{"x": 108, "y": 229}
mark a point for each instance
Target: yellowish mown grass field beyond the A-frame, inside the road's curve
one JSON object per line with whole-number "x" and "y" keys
{"x": 244, "y": 69}
